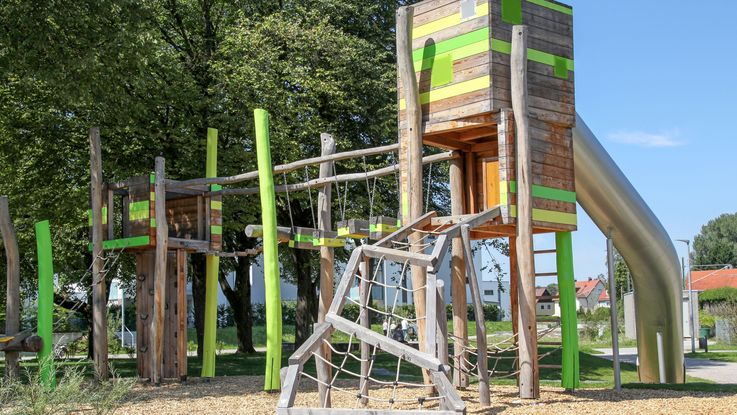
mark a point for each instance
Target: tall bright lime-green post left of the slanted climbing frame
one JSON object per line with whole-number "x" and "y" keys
{"x": 271, "y": 264}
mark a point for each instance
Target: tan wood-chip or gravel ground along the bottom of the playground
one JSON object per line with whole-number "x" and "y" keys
{"x": 243, "y": 395}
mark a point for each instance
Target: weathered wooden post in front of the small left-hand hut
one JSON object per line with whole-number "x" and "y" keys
{"x": 162, "y": 242}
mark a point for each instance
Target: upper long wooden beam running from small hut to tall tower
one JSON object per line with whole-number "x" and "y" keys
{"x": 286, "y": 168}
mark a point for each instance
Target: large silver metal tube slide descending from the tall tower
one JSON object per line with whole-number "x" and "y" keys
{"x": 617, "y": 209}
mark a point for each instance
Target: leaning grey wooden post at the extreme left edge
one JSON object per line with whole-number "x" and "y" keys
{"x": 12, "y": 306}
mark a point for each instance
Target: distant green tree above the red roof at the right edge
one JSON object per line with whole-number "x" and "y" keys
{"x": 717, "y": 242}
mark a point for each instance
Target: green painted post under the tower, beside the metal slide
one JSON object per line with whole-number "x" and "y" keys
{"x": 569, "y": 325}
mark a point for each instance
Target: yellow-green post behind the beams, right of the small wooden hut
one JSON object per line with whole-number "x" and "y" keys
{"x": 212, "y": 268}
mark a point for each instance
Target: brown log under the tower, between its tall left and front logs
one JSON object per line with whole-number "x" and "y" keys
{"x": 458, "y": 277}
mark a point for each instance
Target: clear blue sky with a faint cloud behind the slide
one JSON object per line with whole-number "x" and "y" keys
{"x": 657, "y": 83}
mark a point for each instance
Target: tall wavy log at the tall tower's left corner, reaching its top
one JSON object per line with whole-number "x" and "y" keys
{"x": 410, "y": 152}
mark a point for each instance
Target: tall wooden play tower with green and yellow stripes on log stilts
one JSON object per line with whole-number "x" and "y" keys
{"x": 493, "y": 80}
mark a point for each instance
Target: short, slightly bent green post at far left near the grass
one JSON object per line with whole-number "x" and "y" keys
{"x": 45, "y": 303}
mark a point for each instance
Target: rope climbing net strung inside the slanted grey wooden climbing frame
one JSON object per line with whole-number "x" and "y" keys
{"x": 381, "y": 381}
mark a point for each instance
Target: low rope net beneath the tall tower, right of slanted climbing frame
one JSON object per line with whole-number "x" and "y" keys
{"x": 503, "y": 354}
